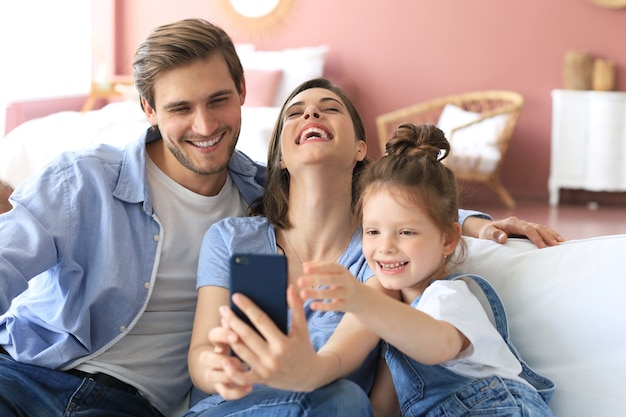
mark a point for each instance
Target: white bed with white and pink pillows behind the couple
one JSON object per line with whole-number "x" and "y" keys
{"x": 270, "y": 77}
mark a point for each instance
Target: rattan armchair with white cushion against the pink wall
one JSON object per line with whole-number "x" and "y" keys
{"x": 468, "y": 158}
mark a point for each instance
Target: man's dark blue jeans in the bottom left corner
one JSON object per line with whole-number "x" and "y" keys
{"x": 29, "y": 390}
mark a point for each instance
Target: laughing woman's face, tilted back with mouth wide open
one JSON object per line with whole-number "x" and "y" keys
{"x": 318, "y": 129}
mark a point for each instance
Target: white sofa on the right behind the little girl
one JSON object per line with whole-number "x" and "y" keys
{"x": 566, "y": 307}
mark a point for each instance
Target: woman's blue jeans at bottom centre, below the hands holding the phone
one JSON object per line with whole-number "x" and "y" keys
{"x": 340, "y": 398}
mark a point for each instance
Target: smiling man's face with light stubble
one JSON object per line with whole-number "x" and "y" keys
{"x": 198, "y": 112}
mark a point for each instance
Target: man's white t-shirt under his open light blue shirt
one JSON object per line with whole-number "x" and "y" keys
{"x": 163, "y": 331}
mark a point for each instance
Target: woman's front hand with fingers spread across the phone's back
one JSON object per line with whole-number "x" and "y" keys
{"x": 273, "y": 358}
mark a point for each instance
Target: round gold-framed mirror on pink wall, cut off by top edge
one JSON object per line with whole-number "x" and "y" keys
{"x": 257, "y": 15}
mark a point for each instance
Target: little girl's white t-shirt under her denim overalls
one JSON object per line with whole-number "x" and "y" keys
{"x": 487, "y": 354}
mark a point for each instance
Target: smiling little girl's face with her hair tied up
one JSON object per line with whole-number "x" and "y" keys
{"x": 401, "y": 243}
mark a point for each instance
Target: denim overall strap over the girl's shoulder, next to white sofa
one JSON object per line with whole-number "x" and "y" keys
{"x": 489, "y": 299}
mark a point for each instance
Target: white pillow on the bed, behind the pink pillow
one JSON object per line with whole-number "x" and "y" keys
{"x": 297, "y": 65}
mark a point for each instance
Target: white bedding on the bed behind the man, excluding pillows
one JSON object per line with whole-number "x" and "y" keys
{"x": 31, "y": 145}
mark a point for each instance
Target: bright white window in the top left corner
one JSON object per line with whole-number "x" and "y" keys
{"x": 46, "y": 49}
